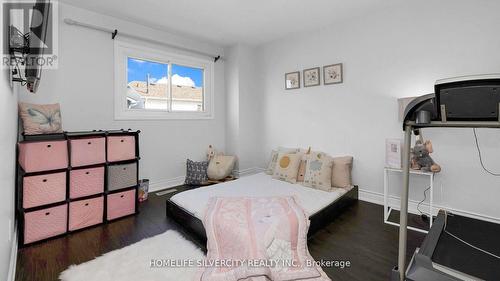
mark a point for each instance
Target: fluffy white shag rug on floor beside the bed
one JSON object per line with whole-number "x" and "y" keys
{"x": 133, "y": 262}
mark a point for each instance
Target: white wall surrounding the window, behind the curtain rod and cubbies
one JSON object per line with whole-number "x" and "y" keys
{"x": 83, "y": 84}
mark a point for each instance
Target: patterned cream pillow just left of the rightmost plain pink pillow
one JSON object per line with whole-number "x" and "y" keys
{"x": 319, "y": 171}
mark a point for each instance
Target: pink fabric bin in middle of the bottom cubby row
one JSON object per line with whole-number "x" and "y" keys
{"x": 86, "y": 213}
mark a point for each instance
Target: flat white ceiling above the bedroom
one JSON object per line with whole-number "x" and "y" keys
{"x": 228, "y": 22}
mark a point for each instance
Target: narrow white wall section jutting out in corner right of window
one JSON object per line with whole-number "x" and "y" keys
{"x": 243, "y": 107}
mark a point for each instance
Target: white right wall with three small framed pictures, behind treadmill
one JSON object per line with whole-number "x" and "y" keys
{"x": 389, "y": 54}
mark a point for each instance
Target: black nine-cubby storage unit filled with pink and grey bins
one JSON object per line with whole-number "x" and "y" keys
{"x": 72, "y": 181}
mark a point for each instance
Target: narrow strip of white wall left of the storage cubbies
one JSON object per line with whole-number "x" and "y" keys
{"x": 8, "y": 139}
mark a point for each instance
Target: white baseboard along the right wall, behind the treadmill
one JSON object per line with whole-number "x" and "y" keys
{"x": 394, "y": 201}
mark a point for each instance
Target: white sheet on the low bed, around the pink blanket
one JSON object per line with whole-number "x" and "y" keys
{"x": 258, "y": 185}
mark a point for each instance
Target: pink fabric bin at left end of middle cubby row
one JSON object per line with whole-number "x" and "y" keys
{"x": 44, "y": 189}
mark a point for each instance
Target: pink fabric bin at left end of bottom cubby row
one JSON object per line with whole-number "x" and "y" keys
{"x": 42, "y": 224}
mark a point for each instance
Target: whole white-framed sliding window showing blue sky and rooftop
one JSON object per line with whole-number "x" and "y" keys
{"x": 151, "y": 84}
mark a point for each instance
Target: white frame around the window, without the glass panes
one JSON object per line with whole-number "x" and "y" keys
{"x": 124, "y": 50}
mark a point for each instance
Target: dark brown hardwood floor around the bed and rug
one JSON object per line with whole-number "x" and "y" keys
{"x": 358, "y": 236}
